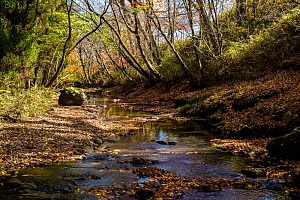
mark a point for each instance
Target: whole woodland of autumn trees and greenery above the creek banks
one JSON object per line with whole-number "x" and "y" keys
{"x": 53, "y": 43}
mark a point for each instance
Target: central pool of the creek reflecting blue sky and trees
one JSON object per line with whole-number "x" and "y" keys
{"x": 192, "y": 156}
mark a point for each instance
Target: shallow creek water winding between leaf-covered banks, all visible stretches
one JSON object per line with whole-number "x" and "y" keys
{"x": 191, "y": 155}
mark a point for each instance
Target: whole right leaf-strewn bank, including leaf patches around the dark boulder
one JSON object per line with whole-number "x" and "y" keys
{"x": 245, "y": 115}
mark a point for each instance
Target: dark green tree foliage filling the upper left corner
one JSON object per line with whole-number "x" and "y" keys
{"x": 17, "y": 22}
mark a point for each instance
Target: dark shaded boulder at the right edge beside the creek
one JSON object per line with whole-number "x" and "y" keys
{"x": 286, "y": 146}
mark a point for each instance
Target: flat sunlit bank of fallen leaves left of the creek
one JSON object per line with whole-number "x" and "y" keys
{"x": 60, "y": 135}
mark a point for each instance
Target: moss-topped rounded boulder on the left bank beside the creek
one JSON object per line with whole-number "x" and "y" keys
{"x": 71, "y": 97}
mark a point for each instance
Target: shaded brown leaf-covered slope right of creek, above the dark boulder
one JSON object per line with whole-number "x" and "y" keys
{"x": 264, "y": 107}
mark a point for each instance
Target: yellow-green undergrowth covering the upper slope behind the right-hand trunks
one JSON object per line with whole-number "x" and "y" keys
{"x": 271, "y": 46}
